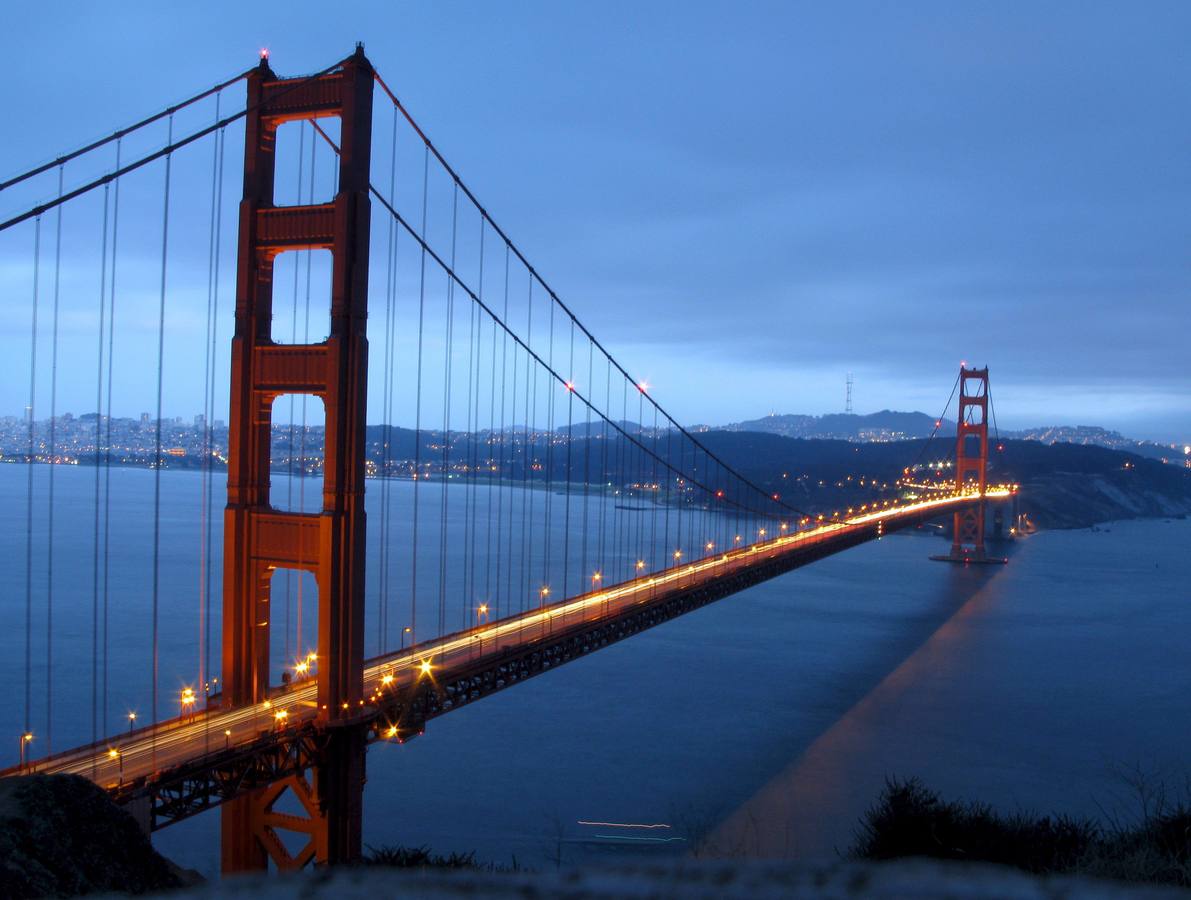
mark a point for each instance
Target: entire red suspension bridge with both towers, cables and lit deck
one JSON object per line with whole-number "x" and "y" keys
{"x": 546, "y": 507}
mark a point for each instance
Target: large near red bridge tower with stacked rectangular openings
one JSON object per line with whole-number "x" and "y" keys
{"x": 259, "y": 539}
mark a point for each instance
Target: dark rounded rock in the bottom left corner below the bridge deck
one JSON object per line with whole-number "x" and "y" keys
{"x": 60, "y": 836}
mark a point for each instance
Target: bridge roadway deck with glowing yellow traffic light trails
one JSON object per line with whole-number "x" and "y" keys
{"x": 170, "y": 761}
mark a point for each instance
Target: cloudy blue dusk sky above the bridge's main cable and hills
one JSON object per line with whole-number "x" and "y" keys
{"x": 753, "y": 199}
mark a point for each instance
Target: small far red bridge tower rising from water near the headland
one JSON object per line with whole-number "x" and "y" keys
{"x": 971, "y": 461}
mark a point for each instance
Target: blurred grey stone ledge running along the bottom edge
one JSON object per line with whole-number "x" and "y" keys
{"x": 695, "y": 880}
